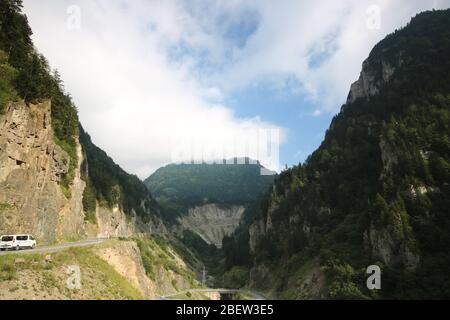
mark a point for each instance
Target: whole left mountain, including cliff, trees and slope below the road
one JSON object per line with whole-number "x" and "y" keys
{"x": 58, "y": 186}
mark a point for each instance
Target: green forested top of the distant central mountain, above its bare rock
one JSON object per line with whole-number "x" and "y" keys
{"x": 179, "y": 187}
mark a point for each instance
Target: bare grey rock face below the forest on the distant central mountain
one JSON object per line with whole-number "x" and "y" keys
{"x": 213, "y": 221}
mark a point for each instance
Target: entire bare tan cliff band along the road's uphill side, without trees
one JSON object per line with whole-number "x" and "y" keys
{"x": 32, "y": 199}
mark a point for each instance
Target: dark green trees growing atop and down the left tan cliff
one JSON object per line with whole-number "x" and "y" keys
{"x": 26, "y": 74}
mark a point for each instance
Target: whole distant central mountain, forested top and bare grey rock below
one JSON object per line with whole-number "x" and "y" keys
{"x": 208, "y": 199}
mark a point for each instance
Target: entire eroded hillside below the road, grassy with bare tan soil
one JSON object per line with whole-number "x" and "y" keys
{"x": 115, "y": 269}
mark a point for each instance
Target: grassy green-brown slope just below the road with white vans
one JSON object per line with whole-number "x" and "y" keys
{"x": 99, "y": 279}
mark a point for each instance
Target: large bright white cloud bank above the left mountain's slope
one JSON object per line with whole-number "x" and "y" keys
{"x": 136, "y": 103}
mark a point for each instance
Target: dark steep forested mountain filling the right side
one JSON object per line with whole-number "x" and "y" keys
{"x": 374, "y": 193}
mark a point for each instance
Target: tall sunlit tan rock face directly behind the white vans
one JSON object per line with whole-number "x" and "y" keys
{"x": 31, "y": 166}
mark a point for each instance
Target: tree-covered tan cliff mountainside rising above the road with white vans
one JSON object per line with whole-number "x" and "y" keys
{"x": 54, "y": 182}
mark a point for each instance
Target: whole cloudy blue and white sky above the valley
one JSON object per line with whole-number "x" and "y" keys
{"x": 157, "y": 82}
